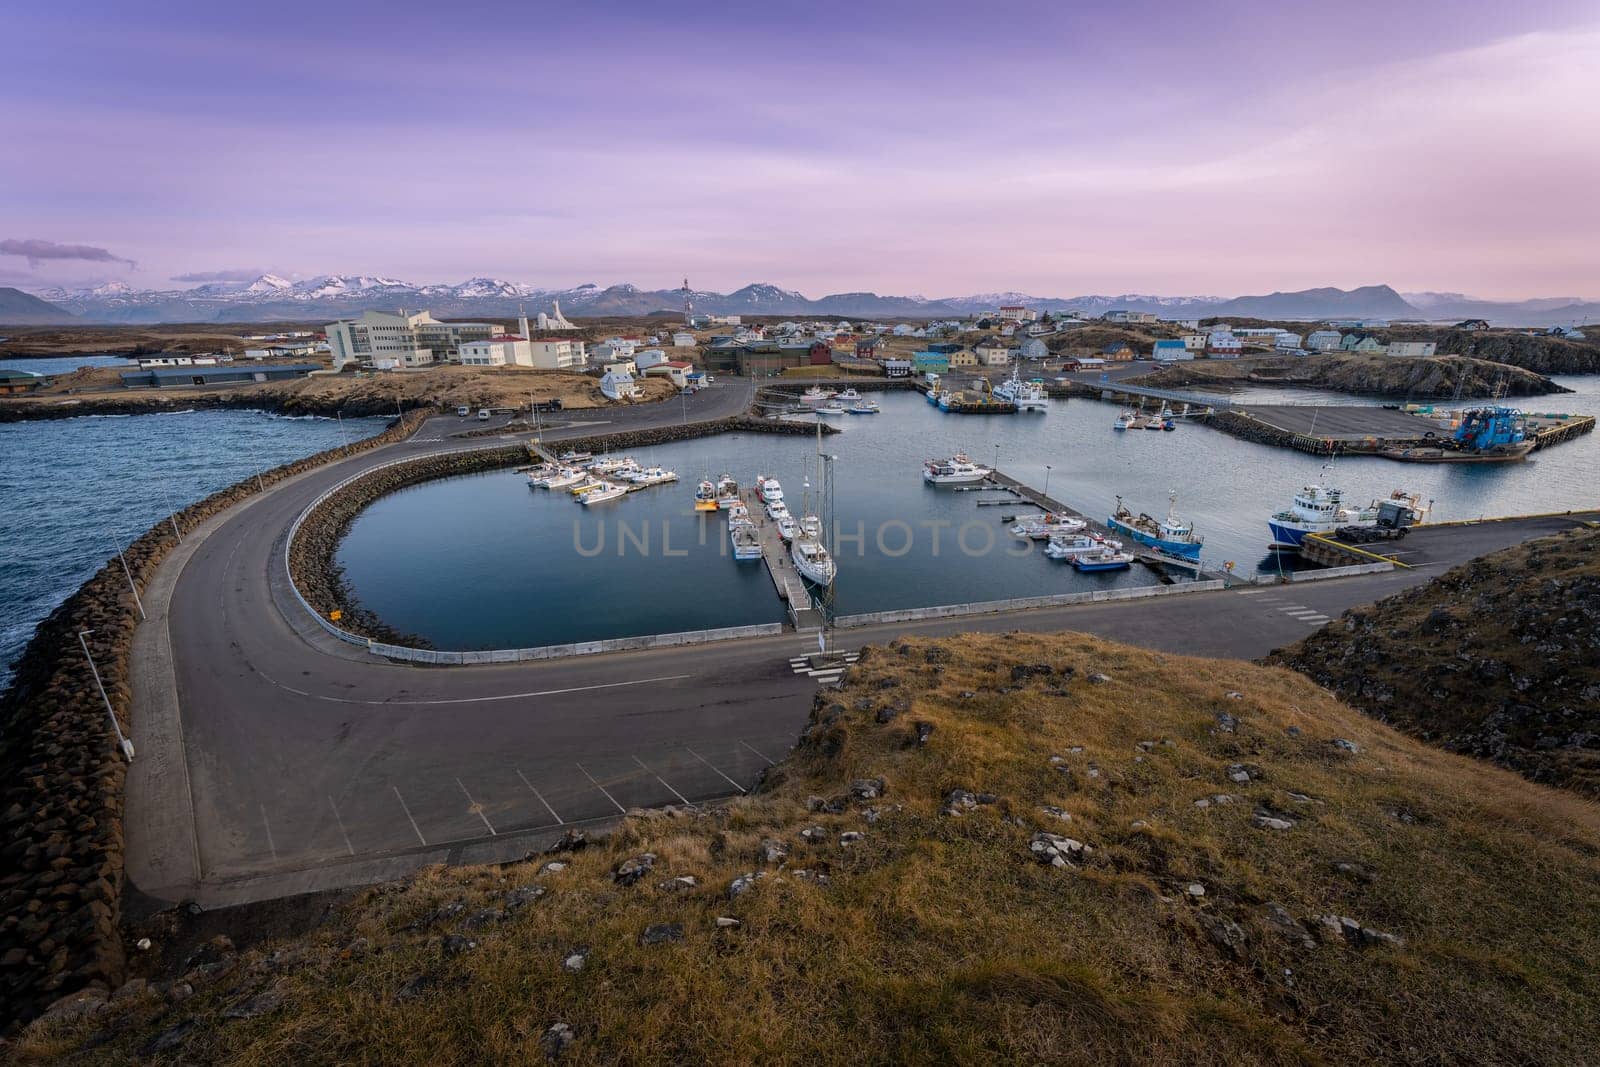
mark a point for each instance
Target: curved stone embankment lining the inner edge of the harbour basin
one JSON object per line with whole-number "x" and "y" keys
{"x": 313, "y": 554}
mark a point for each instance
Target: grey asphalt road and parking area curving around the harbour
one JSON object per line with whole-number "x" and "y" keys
{"x": 276, "y": 761}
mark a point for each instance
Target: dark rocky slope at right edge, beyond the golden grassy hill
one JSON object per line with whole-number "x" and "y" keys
{"x": 1498, "y": 658}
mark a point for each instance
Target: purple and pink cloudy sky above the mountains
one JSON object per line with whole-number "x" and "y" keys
{"x": 930, "y": 150}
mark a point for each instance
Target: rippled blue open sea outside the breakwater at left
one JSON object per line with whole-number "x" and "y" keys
{"x": 71, "y": 490}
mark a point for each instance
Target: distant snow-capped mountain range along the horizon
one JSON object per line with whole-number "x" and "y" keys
{"x": 273, "y": 298}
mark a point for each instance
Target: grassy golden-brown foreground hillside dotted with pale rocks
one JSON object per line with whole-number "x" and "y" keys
{"x": 991, "y": 849}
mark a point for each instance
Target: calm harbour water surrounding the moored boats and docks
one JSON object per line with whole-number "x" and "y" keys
{"x": 492, "y": 564}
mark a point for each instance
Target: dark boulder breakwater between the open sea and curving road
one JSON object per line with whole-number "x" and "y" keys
{"x": 62, "y": 773}
